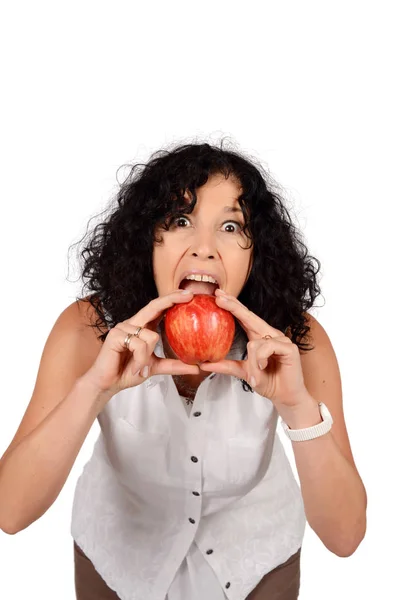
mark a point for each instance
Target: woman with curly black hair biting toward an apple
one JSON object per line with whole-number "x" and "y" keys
{"x": 189, "y": 493}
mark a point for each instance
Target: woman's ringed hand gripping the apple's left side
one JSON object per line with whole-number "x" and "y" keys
{"x": 117, "y": 368}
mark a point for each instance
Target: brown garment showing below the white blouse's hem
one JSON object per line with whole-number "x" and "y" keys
{"x": 282, "y": 583}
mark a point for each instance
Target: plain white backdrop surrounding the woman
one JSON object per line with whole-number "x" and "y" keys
{"x": 308, "y": 88}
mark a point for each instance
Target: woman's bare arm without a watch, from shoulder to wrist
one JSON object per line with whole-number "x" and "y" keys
{"x": 58, "y": 417}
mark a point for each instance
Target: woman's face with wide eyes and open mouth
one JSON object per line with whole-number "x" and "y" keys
{"x": 209, "y": 239}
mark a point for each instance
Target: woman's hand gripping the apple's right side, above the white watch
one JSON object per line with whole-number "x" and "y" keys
{"x": 272, "y": 367}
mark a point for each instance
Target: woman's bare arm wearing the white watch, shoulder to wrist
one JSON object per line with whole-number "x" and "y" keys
{"x": 335, "y": 499}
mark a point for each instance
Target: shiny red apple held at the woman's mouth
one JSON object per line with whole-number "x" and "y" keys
{"x": 199, "y": 330}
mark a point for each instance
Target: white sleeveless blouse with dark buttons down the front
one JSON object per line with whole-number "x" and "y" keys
{"x": 180, "y": 502}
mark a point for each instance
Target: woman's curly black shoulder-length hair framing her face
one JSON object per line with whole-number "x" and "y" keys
{"x": 117, "y": 260}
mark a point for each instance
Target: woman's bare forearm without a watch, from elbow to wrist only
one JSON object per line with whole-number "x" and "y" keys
{"x": 33, "y": 473}
